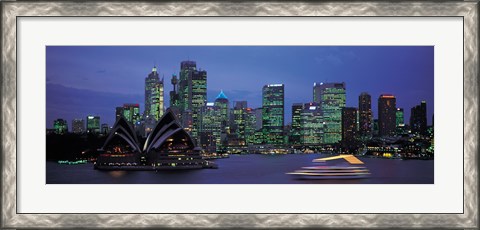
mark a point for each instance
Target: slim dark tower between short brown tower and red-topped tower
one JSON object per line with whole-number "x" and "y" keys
{"x": 365, "y": 116}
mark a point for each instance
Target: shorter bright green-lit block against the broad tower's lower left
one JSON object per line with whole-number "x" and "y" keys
{"x": 311, "y": 122}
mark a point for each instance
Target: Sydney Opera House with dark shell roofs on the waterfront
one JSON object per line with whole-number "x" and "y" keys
{"x": 168, "y": 146}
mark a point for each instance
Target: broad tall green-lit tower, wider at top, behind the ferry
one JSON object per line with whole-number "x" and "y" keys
{"x": 331, "y": 98}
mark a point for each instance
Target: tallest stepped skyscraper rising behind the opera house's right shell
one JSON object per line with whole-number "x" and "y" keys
{"x": 192, "y": 92}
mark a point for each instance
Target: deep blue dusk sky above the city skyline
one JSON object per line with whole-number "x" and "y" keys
{"x": 93, "y": 80}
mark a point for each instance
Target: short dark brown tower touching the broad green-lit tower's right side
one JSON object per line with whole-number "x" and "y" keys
{"x": 349, "y": 126}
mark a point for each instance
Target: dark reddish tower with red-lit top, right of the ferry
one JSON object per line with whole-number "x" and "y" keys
{"x": 387, "y": 110}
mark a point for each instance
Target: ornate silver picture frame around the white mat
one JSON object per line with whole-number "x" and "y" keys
{"x": 11, "y": 10}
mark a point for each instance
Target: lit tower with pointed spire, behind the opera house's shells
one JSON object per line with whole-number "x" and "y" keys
{"x": 153, "y": 95}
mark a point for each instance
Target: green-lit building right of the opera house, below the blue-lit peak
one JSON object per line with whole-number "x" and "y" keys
{"x": 210, "y": 128}
